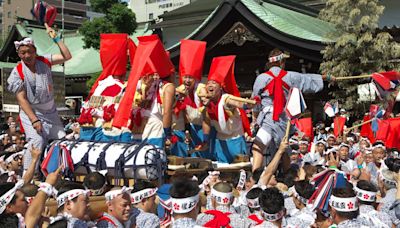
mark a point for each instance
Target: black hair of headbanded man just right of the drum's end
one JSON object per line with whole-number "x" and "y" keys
{"x": 184, "y": 188}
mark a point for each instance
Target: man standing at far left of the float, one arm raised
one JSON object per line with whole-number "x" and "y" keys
{"x": 32, "y": 83}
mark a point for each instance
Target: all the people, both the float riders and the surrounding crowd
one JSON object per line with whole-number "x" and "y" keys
{"x": 293, "y": 180}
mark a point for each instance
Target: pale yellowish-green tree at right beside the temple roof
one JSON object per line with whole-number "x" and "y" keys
{"x": 359, "y": 48}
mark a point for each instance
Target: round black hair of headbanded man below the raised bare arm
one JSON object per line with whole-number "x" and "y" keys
{"x": 272, "y": 201}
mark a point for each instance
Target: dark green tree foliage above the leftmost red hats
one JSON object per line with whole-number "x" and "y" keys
{"x": 118, "y": 19}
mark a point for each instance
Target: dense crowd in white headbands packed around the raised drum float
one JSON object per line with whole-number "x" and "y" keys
{"x": 326, "y": 181}
